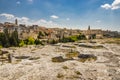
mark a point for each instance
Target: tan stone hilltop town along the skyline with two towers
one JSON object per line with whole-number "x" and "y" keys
{"x": 55, "y": 33}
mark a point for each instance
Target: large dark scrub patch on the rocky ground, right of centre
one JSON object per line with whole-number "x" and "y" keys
{"x": 86, "y": 57}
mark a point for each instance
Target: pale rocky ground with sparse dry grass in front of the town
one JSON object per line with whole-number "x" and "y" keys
{"x": 37, "y": 63}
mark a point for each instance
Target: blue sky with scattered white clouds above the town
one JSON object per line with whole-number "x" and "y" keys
{"x": 73, "y": 14}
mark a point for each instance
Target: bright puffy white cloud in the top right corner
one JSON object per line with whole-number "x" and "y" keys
{"x": 115, "y": 5}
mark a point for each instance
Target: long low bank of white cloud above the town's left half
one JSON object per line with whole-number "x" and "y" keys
{"x": 27, "y": 21}
